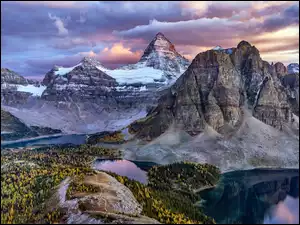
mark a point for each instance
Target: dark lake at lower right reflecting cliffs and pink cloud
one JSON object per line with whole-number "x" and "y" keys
{"x": 254, "y": 196}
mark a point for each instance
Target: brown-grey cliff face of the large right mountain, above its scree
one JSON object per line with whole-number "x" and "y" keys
{"x": 214, "y": 90}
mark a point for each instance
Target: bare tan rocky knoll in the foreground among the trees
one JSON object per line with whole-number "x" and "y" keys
{"x": 114, "y": 203}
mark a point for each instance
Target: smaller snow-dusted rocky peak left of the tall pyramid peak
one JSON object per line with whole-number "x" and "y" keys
{"x": 82, "y": 82}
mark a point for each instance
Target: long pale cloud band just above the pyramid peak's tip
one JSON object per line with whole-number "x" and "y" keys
{"x": 203, "y": 31}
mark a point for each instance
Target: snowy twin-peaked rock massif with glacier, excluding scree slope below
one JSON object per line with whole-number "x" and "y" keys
{"x": 89, "y": 79}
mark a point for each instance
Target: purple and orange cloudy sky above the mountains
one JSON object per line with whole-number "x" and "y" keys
{"x": 35, "y": 36}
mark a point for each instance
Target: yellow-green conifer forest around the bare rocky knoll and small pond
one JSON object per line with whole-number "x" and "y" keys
{"x": 30, "y": 177}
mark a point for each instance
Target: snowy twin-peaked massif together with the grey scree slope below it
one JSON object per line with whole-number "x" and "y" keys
{"x": 88, "y": 97}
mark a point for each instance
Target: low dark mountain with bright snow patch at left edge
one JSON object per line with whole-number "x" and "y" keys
{"x": 15, "y": 89}
